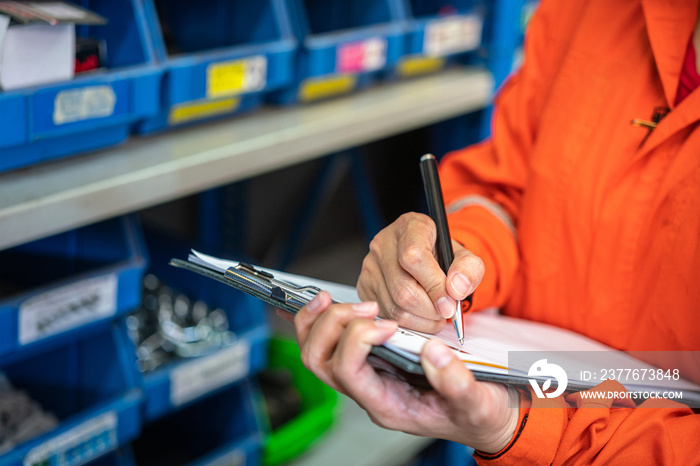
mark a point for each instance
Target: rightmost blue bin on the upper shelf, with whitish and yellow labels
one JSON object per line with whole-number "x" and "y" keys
{"x": 440, "y": 31}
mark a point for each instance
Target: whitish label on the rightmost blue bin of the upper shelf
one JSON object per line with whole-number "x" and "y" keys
{"x": 452, "y": 35}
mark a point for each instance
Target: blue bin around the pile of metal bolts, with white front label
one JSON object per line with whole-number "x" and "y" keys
{"x": 184, "y": 381}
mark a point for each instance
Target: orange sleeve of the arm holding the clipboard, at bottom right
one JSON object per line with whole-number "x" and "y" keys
{"x": 593, "y": 431}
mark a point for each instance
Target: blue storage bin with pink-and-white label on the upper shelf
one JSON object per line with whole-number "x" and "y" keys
{"x": 343, "y": 45}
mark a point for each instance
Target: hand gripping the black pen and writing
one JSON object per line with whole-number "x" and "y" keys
{"x": 402, "y": 274}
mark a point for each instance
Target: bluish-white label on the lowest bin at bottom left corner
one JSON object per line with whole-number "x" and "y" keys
{"x": 79, "y": 445}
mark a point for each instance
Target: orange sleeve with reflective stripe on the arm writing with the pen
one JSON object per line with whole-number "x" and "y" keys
{"x": 495, "y": 172}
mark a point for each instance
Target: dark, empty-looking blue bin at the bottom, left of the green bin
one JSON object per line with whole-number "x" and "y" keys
{"x": 223, "y": 429}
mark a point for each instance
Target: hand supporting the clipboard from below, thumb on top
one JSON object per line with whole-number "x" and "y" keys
{"x": 335, "y": 340}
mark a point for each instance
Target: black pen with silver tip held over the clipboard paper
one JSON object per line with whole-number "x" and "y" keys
{"x": 443, "y": 244}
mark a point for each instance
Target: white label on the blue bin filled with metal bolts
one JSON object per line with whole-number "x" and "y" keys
{"x": 196, "y": 378}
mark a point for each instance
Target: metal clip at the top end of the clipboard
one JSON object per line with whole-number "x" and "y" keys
{"x": 266, "y": 284}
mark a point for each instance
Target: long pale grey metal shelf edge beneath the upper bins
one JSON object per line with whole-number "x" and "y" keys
{"x": 65, "y": 194}
